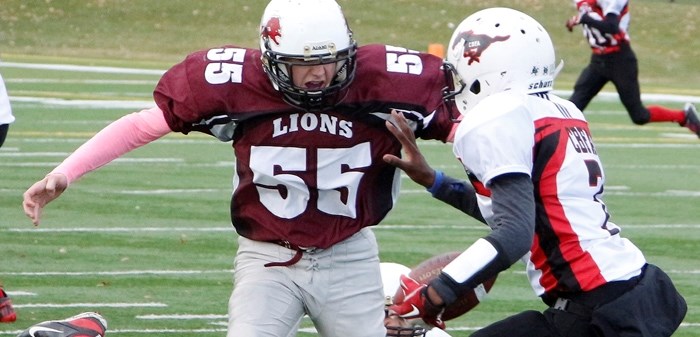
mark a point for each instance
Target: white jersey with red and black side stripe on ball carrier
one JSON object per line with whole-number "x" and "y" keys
{"x": 576, "y": 247}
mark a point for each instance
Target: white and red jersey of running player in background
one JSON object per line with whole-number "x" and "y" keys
{"x": 598, "y": 10}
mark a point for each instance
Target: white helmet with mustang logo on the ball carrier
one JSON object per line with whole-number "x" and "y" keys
{"x": 499, "y": 49}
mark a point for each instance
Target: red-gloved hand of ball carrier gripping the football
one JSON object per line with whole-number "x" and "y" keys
{"x": 416, "y": 303}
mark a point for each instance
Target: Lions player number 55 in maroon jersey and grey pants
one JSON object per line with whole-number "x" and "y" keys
{"x": 305, "y": 114}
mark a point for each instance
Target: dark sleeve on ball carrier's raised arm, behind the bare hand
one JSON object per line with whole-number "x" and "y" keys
{"x": 459, "y": 194}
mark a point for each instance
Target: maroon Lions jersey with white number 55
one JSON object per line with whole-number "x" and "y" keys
{"x": 309, "y": 178}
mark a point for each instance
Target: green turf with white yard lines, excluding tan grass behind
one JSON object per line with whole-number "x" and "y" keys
{"x": 147, "y": 238}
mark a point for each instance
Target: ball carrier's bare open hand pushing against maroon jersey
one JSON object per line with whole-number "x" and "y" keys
{"x": 413, "y": 162}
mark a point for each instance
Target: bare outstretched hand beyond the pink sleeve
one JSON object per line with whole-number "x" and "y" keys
{"x": 41, "y": 193}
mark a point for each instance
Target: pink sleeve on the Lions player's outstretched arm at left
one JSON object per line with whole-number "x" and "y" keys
{"x": 119, "y": 137}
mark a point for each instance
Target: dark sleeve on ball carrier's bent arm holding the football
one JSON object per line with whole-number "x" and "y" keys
{"x": 512, "y": 235}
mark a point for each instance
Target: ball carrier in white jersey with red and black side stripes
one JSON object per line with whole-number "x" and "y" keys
{"x": 537, "y": 180}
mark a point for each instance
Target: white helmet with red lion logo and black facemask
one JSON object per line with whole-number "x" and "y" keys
{"x": 307, "y": 32}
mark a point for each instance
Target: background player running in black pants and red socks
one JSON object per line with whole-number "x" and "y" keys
{"x": 605, "y": 26}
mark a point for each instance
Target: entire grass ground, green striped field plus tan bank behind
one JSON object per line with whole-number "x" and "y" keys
{"x": 146, "y": 240}
